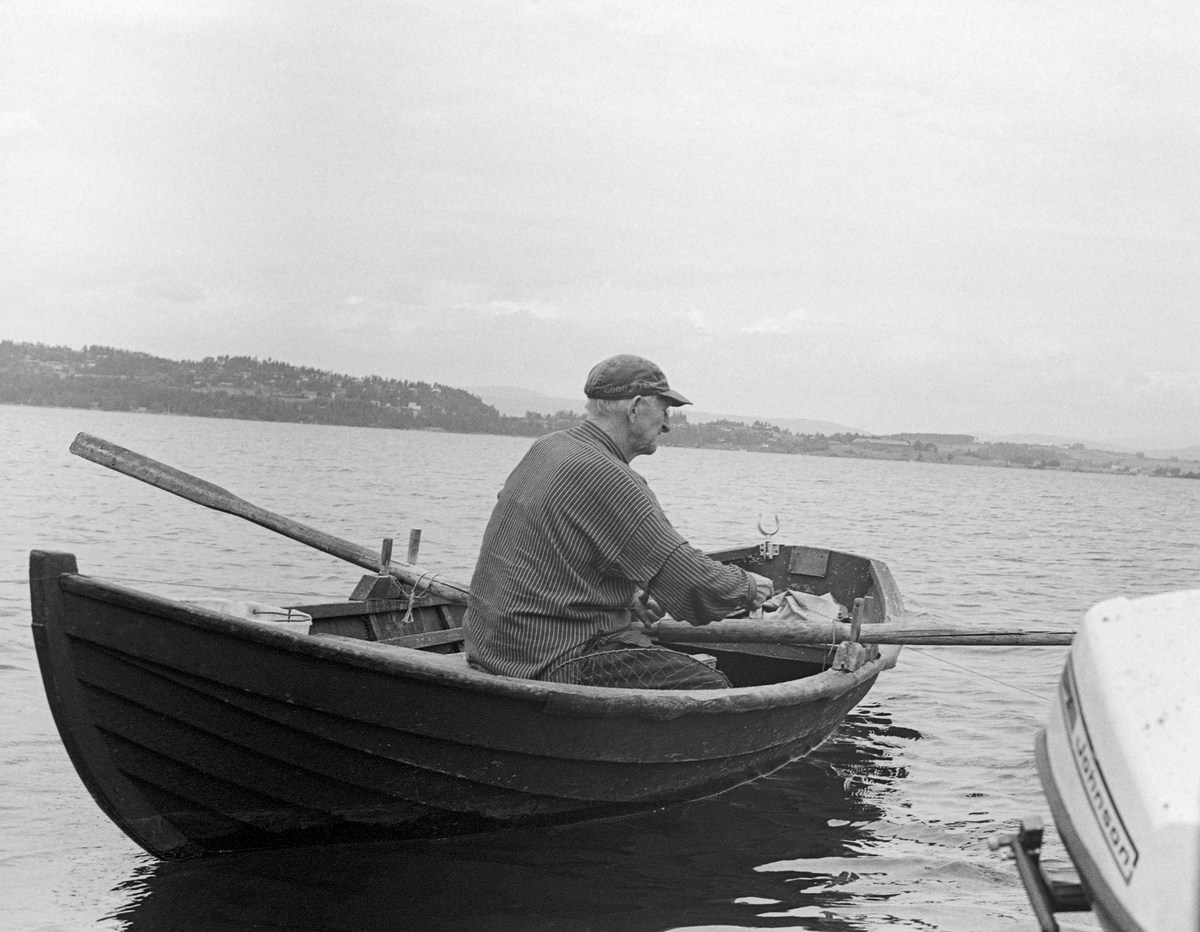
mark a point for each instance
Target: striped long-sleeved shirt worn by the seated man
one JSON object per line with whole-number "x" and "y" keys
{"x": 573, "y": 538}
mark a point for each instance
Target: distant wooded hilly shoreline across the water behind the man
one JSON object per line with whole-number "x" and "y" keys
{"x": 241, "y": 388}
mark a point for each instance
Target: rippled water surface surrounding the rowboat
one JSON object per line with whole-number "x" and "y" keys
{"x": 886, "y": 826}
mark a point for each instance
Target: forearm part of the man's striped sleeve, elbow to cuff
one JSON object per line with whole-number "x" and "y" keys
{"x": 698, "y": 590}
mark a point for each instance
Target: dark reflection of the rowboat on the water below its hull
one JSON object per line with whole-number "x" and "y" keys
{"x": 785, "y": 847}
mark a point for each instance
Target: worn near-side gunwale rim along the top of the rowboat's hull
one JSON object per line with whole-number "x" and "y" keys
{"x": 567, "y": 700}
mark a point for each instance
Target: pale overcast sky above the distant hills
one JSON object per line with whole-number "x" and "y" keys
{"x": 902, "y": 217}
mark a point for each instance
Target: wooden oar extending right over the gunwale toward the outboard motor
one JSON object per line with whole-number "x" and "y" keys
{"x": 765, "y": 632}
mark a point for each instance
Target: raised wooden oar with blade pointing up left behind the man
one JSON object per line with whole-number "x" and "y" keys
{"x": 214, "y": 497}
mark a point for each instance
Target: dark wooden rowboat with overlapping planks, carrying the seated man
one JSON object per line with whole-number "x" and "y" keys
{"x": 199, "y": 732}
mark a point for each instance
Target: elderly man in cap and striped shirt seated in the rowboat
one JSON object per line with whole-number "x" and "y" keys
{"x": 578, "y": 551}
